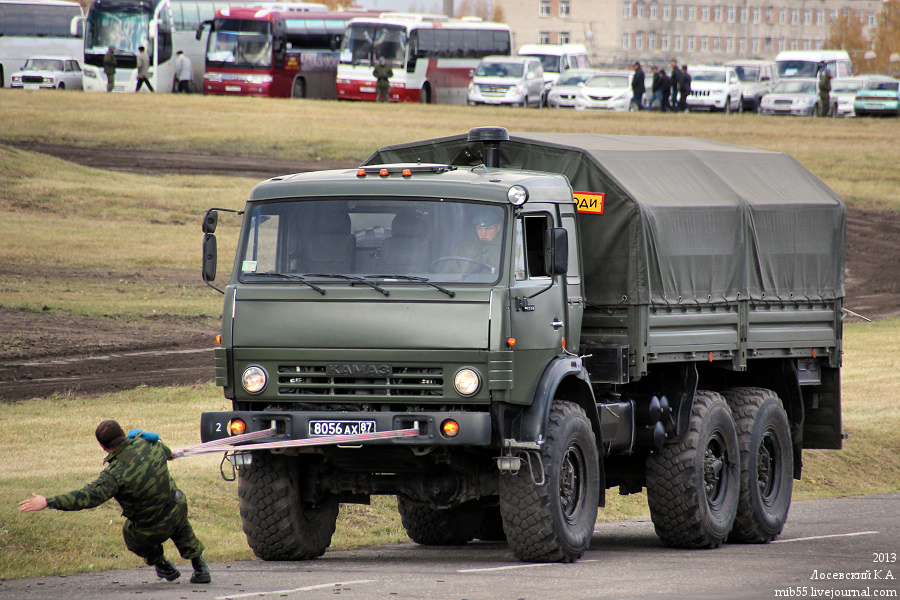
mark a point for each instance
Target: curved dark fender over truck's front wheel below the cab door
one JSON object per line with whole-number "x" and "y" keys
{"x": 534, "y": 417}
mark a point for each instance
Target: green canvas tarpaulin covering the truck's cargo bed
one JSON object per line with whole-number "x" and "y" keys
{"x": 685, "y": 220}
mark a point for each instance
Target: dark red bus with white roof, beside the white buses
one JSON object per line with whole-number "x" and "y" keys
{"x": 274, "y": 51}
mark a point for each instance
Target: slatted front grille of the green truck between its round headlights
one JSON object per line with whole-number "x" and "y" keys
{"x": 313, "y": 381}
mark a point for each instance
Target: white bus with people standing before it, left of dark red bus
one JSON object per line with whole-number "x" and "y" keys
{"x": 162, "y": 27}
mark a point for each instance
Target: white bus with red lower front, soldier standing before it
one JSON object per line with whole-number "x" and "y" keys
{"x": 430, "y": 55}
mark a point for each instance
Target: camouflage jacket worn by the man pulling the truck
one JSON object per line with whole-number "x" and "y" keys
{"x": 136, "y": 475}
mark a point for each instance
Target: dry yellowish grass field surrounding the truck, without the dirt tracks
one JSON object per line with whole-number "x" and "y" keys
{"x": 133, "y": 222}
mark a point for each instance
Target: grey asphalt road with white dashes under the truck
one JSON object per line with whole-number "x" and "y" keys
{"x": 829, "y": 548}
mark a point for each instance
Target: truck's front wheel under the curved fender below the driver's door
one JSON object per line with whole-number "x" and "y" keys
{"x": 554, "y": 521}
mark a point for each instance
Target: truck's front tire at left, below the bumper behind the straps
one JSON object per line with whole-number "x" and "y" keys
{"x": 277, "y": 524}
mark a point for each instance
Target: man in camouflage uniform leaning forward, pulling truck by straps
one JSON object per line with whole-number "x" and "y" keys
{"x": 137, "y": 476}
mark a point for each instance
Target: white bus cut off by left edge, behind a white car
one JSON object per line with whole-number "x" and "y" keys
{"x": 32, "y": 27}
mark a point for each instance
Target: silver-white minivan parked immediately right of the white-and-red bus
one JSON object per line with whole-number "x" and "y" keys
{"x": 516, "y": 80}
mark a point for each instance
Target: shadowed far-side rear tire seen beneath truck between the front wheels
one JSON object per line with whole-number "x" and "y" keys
{"x": 431, "y": 526}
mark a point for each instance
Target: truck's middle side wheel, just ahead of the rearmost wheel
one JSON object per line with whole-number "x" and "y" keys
{"x": 693, "y": 484}
